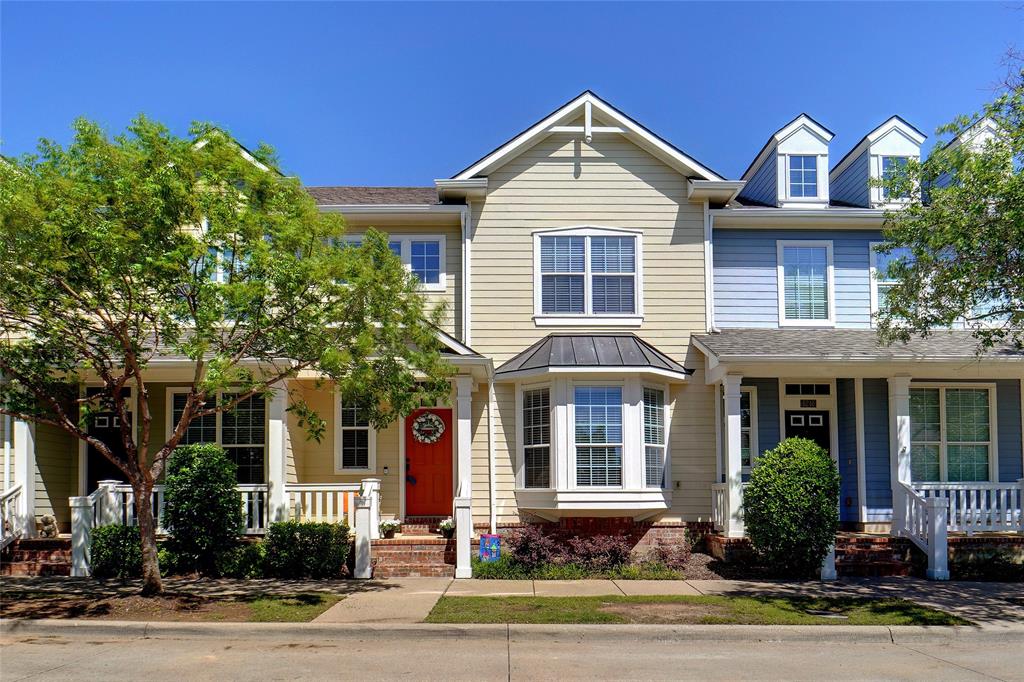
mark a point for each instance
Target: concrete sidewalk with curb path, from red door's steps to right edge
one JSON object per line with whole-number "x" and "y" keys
{"x": 410, "y": 601}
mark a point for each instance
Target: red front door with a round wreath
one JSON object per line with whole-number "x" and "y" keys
{"x": 429, "y": 462}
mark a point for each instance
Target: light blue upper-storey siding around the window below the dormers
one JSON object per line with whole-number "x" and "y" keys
{"x": 747, "y": 280}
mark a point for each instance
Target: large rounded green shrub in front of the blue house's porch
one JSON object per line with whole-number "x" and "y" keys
{"x": 791, "y": 507}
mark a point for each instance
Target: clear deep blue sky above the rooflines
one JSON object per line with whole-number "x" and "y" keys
{"x": 405, "y": 94}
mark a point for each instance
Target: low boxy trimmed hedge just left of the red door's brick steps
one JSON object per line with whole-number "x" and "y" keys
{"x": 304, "y": 549}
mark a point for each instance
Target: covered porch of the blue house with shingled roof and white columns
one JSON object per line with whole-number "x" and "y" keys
{"x": 927, "y": 437}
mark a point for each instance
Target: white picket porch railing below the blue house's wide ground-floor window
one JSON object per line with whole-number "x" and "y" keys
{"x": 979, "y": 507}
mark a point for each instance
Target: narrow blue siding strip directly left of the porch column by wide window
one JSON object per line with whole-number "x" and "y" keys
{"x": 877, "y": 467}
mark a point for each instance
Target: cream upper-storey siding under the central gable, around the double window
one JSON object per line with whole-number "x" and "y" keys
{"x": 563, "y": 183}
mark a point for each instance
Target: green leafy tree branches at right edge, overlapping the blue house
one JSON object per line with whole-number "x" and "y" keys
{"x": 961, "y": 236}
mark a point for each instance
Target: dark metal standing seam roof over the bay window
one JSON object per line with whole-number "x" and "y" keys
{"x": 592, "y": 351}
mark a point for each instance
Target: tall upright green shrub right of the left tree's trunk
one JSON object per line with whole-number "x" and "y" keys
{"x": 203, "y": 507}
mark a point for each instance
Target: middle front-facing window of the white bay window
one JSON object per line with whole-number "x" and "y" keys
{"x": 599, "y": 436}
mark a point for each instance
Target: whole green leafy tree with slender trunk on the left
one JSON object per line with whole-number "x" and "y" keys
{"x": 117, "y": 252}
